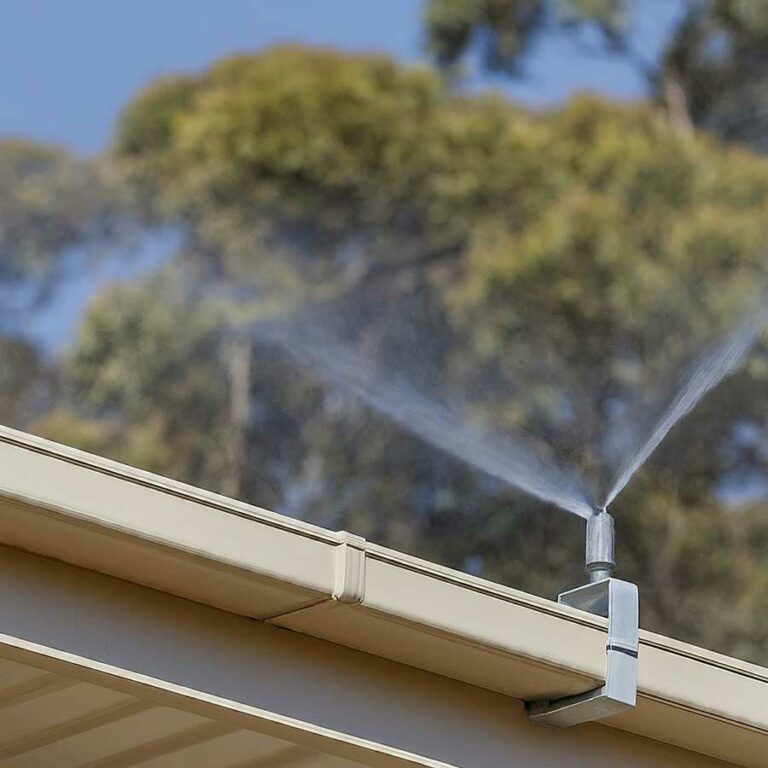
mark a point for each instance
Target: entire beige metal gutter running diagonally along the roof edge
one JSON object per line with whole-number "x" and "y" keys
{"x": 93, "y": 513}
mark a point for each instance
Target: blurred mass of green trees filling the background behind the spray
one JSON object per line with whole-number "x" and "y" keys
{"x": 544, "y": 270}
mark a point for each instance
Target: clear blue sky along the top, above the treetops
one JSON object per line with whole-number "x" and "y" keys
{"x": 67, "y": 66}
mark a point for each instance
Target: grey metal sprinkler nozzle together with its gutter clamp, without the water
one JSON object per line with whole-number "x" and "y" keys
{"x": 617, "y": 601}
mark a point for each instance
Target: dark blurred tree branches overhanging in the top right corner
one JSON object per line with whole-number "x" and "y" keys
{"x": 712, "y": 72}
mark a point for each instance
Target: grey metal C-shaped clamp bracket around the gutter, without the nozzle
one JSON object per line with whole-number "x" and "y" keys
{"x": 618, "y": 601}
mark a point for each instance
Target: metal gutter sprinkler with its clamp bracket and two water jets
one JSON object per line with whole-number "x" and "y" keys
{"x": 523, "y": 464}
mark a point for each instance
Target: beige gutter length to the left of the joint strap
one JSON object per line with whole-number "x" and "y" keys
{"x": 99, "y": 514}
